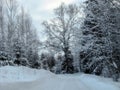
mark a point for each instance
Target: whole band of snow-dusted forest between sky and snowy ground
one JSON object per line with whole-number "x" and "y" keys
{"x": 80, "y": 38}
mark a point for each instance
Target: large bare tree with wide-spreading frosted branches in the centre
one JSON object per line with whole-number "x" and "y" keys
{"x": 62, "y": 28}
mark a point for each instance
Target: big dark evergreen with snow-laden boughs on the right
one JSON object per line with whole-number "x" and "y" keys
{"x": 98, "y": 43}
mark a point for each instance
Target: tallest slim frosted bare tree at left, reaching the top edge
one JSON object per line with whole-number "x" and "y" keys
{"x": 11, "y": 13}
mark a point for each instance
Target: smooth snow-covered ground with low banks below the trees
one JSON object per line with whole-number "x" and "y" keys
{"x": 23, "y": 78}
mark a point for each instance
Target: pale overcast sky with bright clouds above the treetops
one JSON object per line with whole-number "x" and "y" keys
{"x": 41, "y": 10}
